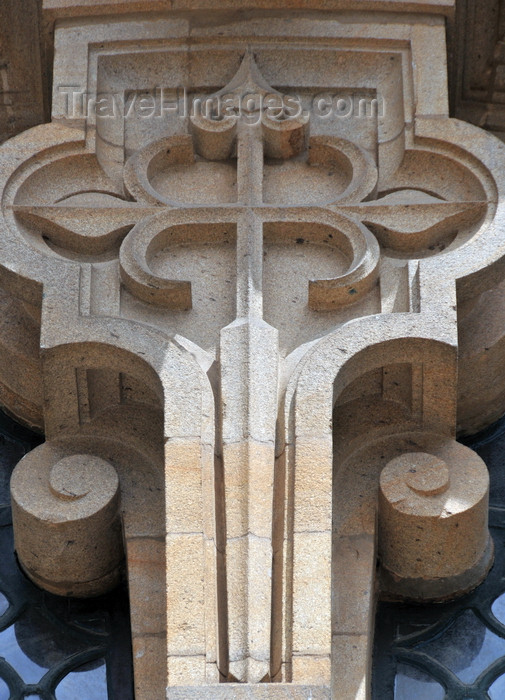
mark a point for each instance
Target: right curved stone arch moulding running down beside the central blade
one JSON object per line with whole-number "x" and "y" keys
{"x": 324, "y": 372}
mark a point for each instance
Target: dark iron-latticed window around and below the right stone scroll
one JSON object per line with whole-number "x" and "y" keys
{"x": 451, "y": 651}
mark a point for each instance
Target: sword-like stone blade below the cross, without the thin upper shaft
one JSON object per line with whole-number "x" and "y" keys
{"x": 249, "y": 408}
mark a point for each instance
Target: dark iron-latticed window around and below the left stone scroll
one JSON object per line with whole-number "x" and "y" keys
{"x": 54, "y": 648}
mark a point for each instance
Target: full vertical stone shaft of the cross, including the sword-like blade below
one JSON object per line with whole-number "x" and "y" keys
{"x": 249, "y": 378}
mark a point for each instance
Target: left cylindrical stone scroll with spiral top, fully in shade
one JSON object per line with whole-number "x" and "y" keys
{"x": 67, "y": 523}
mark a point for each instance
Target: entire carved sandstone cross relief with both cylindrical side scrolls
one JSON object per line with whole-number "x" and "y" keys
{"x": 247, "y": 318}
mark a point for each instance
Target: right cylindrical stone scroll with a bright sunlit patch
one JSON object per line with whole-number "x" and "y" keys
{"x": 433, "y": 536}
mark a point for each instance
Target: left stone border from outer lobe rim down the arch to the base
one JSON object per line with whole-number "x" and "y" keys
{"x": 70, "y": 339}
